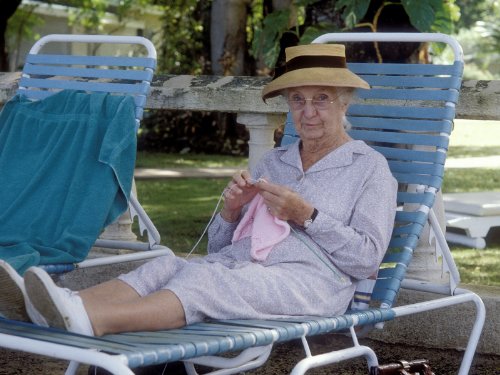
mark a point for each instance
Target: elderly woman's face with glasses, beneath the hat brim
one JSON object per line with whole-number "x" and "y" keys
{"x": 317, "y": 112}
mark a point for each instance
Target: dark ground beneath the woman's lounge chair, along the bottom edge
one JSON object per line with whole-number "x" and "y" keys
{"x": 443, "y": 362}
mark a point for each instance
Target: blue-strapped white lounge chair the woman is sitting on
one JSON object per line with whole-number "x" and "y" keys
{"x": 408, "y": 117}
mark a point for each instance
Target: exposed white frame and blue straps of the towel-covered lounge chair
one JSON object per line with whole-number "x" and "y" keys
{"x": 45, "y": 74}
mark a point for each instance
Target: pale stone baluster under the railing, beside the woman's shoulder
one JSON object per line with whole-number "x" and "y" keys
{"x": 261, "y": 128}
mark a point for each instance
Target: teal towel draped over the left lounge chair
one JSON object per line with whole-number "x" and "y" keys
{"x": 66, "y": 168}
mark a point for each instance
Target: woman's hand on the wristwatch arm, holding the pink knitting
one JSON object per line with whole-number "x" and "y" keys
{"x": 284, "y": 203}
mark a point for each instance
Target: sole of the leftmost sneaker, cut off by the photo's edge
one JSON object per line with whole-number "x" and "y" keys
{"x": 11, "y": 299}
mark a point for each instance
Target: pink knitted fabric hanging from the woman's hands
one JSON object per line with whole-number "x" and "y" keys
{"x": 265, "y": 229}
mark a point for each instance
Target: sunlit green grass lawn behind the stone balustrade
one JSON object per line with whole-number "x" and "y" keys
{"x": 181, "y": 208}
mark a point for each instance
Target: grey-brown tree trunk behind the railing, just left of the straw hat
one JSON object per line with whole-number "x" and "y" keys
{"x": 228, "y": 37}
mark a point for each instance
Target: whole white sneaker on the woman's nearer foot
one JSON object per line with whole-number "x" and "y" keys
{"x": 60, "y": 307}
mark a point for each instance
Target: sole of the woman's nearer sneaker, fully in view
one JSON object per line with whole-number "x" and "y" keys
{"x": 38, "y": 287}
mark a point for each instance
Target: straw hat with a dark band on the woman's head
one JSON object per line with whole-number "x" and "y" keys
{"x": 314, "y": 65}
